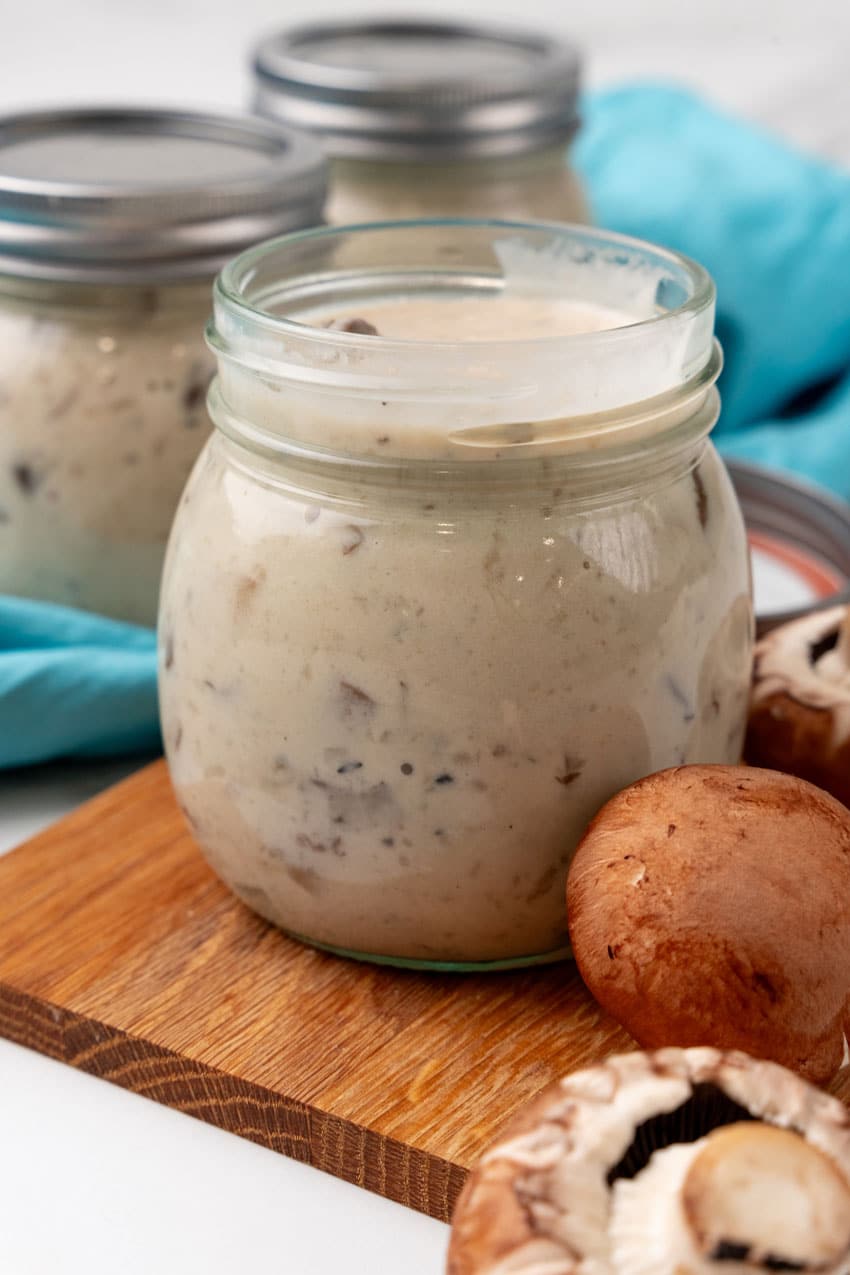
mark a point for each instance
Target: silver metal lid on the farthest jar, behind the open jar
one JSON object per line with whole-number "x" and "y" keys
{"x": 420, "y": 90}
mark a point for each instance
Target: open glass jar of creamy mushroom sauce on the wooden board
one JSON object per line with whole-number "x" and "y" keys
{"x": 434, "y": 596}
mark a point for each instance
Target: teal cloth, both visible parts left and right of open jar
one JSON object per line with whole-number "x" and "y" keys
{"x": 772, "y": 225}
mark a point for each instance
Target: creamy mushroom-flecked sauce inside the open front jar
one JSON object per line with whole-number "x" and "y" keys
{"x": 392, "y": 711}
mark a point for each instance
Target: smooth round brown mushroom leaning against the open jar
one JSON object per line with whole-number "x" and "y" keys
{"x": 712, "y": 906}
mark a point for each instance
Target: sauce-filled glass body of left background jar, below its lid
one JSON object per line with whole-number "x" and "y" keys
{"x": 103, "y": 415}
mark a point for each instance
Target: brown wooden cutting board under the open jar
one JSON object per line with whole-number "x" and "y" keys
{"x": 122, "y": 954}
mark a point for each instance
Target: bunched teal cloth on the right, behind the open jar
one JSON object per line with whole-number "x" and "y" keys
{"x": 773, "y": 226}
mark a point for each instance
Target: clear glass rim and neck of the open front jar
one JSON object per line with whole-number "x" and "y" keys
{"x": 271, "y": 303}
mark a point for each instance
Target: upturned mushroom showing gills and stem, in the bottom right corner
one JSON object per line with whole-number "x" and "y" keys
{"x": 767, "y": 1194}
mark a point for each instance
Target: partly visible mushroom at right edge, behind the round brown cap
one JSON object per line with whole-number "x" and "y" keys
{"x": 800, "y": 718}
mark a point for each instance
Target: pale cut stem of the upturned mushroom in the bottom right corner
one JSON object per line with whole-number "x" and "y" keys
{"x": 749, "y": 1198}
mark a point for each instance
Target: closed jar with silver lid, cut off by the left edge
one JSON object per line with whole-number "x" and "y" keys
{"x": 113, "y": 226}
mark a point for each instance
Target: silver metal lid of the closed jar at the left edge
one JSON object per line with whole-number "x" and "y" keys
{"x": 119, "y": 196}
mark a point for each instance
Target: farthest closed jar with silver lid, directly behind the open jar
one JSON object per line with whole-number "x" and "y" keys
{"x": 431, "y": 119}
